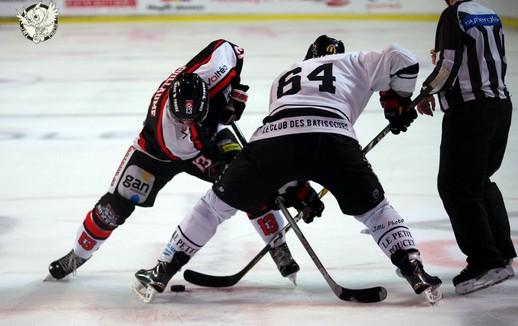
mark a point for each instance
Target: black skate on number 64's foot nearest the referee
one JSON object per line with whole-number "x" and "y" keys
{"x": 411, "y": 268}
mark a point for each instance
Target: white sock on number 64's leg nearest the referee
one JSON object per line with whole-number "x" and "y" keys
{"x": 387, "y": 228}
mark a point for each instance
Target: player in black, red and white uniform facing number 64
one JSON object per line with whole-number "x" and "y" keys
{"x": 183, "y": 132}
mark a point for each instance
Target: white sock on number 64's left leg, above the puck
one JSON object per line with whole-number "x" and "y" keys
{"x": 198, "y": 226}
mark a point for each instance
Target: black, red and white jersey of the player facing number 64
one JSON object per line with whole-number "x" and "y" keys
{"x": 219, "y": 65}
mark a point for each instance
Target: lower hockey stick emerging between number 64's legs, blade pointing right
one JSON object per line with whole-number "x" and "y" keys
{"x": 367, "y": 295}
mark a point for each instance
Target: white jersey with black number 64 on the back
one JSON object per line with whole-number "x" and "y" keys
{"x": 327, "y": 94}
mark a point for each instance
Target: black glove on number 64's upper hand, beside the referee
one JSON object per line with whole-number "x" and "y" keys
{"x": 396, "y": 112}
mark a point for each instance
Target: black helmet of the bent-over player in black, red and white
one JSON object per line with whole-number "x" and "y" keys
{"x": 189, "y": 98}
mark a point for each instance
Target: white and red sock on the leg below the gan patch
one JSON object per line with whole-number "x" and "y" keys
{"x": 90, "y": 236}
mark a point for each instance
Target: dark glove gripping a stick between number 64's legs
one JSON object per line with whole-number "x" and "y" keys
{"x": 305, "y": 199}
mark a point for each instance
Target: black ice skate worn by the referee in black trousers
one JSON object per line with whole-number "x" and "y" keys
{"x": 473, "y": 278}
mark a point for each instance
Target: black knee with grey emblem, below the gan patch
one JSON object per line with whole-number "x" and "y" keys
{"x": 112, "y": 210}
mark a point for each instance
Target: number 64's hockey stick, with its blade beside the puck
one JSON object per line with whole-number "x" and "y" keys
{"x": 207, "y": 280}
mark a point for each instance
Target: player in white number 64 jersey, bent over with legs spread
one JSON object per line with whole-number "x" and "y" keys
{"x": 309, "y": 135}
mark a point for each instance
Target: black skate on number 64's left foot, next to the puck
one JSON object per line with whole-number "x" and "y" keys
{"x": 154, "y": 280}
